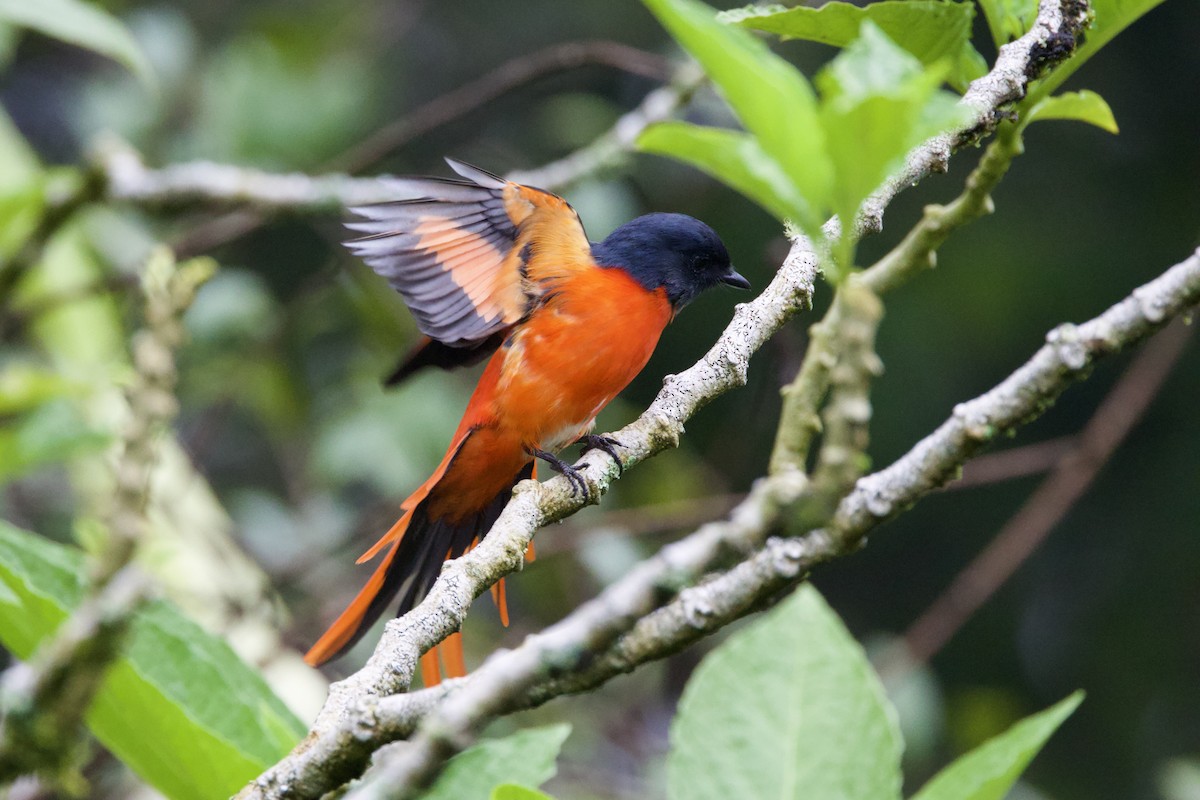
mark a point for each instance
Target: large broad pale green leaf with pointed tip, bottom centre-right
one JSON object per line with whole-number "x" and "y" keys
{"x": 787, "y": 709}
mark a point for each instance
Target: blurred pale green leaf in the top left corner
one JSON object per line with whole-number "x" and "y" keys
{"x": 83, "y": 25}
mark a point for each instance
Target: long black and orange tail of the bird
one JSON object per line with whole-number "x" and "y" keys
{"x": 417, "y": 548}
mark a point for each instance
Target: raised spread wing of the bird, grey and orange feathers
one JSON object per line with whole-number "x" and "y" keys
{"x": 471, "y": 257}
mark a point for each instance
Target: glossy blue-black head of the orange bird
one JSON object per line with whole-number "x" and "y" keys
{"x": 673, "y": 251}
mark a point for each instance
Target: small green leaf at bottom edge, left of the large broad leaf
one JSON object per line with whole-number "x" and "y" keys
{"x": 525, "y": 757}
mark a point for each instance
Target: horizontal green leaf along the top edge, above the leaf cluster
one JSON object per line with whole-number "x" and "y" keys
{"x": 933, "y": 31}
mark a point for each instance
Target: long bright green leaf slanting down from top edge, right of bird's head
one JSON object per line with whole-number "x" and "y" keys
{"x": 771, "y": 98}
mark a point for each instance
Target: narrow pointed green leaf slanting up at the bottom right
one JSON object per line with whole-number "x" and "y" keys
{"x": 992, "y": 769}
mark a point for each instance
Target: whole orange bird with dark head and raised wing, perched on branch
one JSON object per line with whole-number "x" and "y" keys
{"x": 495, "y": 269}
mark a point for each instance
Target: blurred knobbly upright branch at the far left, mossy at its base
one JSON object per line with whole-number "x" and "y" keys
{"x": 46, "y": 700}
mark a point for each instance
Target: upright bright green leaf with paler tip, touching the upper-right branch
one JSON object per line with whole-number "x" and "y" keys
{"x": 878, "y": 104}
